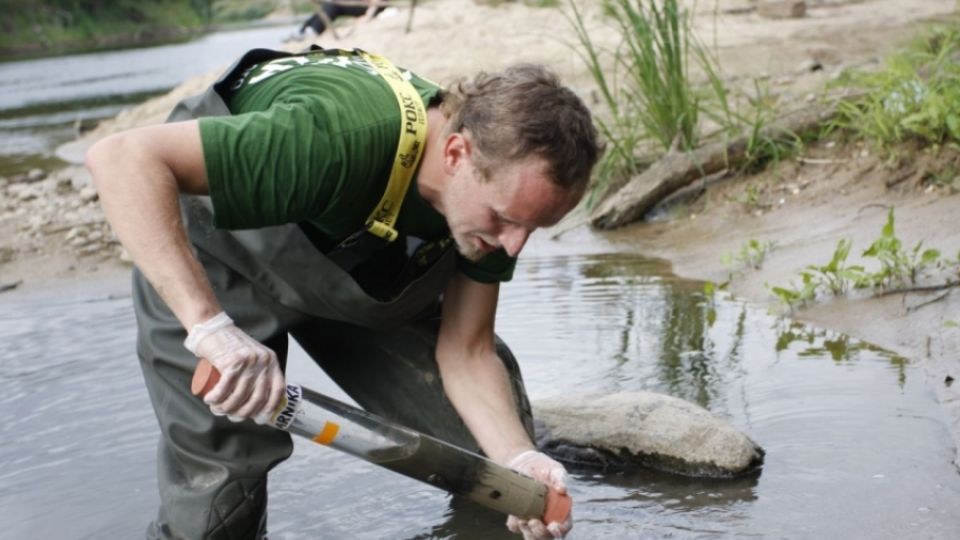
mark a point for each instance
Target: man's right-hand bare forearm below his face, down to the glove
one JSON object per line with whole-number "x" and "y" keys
{"x": 473, "y": 376}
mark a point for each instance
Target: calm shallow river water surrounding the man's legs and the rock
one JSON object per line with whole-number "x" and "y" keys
{"x": 856, "y": 447}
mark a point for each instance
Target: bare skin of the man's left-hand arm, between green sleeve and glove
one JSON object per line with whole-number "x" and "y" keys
{"x": 139, "y": 175}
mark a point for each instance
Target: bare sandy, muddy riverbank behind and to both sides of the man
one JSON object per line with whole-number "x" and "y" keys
{"x": 51, "y": 228}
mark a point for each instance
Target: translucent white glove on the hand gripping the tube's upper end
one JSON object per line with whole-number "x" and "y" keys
{"x": 251, "y": 383}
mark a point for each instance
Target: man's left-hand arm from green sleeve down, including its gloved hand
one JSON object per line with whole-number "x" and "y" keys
{"x": 139, "y": 175}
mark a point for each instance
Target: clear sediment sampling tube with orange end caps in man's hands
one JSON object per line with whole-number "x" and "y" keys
{"x": 372, "y": 438}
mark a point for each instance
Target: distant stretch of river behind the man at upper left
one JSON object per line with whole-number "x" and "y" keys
{"x": 42, "y": 100}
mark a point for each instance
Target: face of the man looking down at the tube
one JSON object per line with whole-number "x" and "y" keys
{"x": 485, "y": 215}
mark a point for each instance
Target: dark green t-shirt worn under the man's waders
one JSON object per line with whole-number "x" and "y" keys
{"x": 312, "y": 140}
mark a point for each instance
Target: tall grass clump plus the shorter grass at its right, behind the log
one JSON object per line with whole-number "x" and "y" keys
{"x": 654, "y": 104}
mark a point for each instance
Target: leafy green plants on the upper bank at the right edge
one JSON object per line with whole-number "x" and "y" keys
{"x": 915, "y": 96}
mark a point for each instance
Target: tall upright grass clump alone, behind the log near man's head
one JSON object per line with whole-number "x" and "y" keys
{"x": 645, "y": 84}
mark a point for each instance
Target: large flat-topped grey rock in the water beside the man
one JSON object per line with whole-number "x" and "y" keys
{"x": 623, "y": 431}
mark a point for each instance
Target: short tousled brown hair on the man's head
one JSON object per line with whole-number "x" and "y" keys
{"x": 520, "y": 112}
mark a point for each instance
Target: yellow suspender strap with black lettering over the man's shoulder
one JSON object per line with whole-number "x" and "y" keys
{"x": 413, "y": 136}
